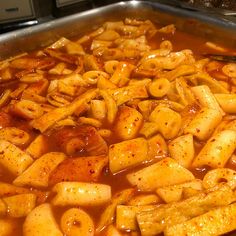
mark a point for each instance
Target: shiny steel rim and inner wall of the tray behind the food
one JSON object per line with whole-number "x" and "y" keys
{"x": 219, "y": 30}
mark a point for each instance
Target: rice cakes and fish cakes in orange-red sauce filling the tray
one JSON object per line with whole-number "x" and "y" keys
{"x": 127, "y": 130}
